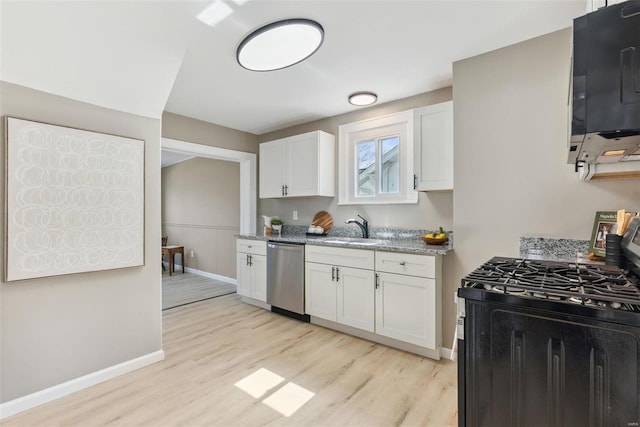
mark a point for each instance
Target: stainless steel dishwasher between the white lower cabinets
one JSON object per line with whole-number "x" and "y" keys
{"x": 285, "y": 279}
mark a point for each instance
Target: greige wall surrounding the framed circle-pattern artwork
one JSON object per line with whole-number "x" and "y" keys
{"x": 55, "y": 330}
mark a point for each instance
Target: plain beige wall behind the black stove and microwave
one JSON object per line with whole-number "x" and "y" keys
{"x": 510, "y": 151}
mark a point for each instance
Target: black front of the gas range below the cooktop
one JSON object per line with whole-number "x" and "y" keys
{"x": 519, "y": 366}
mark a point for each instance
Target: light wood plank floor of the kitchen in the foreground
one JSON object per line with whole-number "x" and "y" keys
{"x": 213, "y": 344}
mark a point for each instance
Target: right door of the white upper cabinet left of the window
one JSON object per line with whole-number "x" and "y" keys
{"x": 302, "y": 164}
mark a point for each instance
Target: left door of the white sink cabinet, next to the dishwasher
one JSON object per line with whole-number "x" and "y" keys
{"x": 320, "y": 291}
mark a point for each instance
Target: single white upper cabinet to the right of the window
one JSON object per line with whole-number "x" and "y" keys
{"x": 433, "y": 147}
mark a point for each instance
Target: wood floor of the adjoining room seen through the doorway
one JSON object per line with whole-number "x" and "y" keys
{"x": 180, "y": 289}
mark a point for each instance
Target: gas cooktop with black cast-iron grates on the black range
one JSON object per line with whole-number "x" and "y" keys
{"x": 588, "y": 285}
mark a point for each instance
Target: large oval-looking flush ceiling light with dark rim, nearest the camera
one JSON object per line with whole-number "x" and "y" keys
{"x": 280, "y": 44}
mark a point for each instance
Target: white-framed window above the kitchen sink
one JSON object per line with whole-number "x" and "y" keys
{"x": 376, "y": 156}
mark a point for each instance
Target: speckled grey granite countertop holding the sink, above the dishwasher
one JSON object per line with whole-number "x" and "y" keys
{"x": 410, "y": 245}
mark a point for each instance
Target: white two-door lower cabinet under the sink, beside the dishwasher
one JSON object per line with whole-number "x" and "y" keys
{"x": 339, "y": 293}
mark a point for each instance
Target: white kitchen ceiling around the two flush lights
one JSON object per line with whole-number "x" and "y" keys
{"x": 145, "y": 57}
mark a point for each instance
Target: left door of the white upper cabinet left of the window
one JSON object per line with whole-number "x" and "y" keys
{"x": 273, "y": 164}
